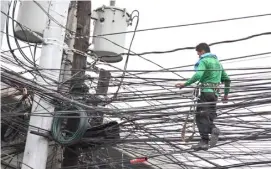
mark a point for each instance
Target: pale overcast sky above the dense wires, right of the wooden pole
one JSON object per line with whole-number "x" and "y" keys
{"x": 157, "y": 13}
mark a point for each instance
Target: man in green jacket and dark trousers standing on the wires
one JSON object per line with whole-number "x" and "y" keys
{"x": 210, "y": 73}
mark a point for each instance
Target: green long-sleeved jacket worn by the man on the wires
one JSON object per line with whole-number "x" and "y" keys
{"x": 209, "y": 71}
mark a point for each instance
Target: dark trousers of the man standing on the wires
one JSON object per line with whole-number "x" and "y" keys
{"x": 206, "y": 114}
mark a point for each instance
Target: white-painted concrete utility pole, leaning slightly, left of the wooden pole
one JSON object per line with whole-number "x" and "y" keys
{"x": 36, "y": 149}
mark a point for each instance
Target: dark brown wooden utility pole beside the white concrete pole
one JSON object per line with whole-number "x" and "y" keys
{"x": 78, "y": 64}
